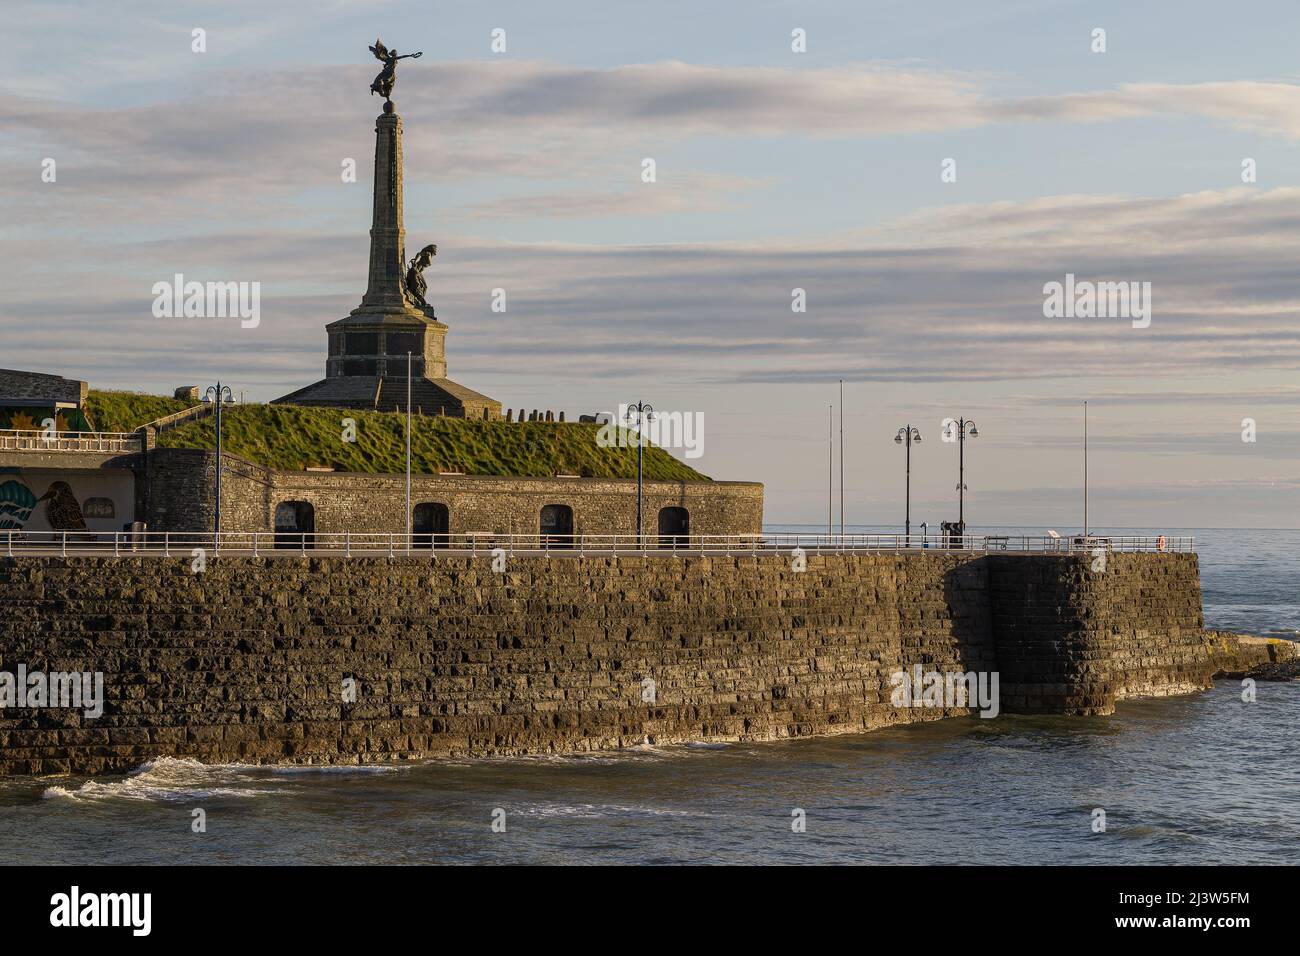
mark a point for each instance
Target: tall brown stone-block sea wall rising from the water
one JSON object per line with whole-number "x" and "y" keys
{"x": 249, "y": 661}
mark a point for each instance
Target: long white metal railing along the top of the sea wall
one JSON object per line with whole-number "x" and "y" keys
{"x": 358, "y": 544}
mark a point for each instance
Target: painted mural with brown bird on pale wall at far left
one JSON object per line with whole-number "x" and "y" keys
{"x": 41, "y": 500}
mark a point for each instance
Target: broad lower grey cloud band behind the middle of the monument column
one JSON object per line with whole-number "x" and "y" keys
{"x": 960, "y": 300}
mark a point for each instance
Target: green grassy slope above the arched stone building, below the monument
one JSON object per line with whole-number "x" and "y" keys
{"x": 289, "y": 438}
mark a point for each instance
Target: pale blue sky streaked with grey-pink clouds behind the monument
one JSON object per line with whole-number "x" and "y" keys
{"x": 827, "y": 171}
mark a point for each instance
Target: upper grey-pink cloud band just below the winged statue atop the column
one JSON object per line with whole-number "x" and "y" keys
{"x": 231, "y": 137}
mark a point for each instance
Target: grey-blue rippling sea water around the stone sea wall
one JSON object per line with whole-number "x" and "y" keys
{"x": 1198, "y": 780}
